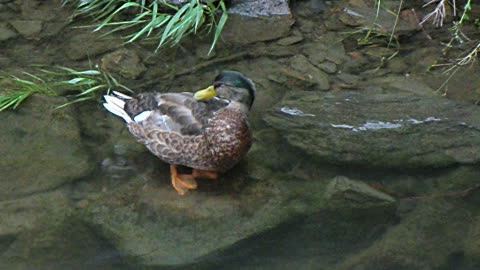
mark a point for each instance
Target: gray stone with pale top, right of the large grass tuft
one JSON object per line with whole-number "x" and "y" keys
{"x": 252, "y": 21}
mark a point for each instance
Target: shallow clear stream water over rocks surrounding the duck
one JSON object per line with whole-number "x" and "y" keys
{"x": 330, "y": 182}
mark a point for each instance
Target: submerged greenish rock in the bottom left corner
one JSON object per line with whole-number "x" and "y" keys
{"x": 38, "y": 231}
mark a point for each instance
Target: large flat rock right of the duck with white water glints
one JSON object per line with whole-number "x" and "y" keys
{"x": 379, "y": 128}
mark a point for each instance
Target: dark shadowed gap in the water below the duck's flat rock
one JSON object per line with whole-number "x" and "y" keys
{"x": 316, "y": 242}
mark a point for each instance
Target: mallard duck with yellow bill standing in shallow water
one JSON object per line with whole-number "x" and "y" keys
{"x": 206, "y": 131}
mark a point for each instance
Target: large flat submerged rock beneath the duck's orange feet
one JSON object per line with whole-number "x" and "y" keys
{"x": 151, "y": 224}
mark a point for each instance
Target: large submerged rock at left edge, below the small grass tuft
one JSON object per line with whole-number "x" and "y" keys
{"x": 41, "y": 148}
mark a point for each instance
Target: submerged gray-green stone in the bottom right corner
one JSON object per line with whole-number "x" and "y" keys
{"x": 446, "y": 226}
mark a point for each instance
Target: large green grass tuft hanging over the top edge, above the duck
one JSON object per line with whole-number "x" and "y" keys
{"x": 165, "y": 23}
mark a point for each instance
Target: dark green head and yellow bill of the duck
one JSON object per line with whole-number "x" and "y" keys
{"x": 230, "y": 85}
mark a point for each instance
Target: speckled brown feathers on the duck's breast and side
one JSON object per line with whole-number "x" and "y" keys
{"x": 216, "y": 146}
